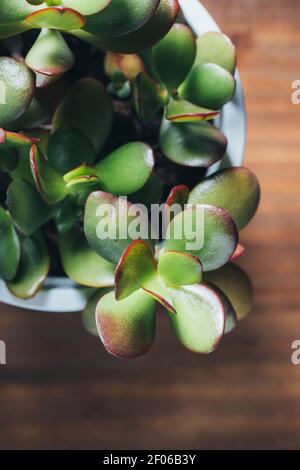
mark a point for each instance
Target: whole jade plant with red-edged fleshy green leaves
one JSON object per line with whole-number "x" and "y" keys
{"x": 115, "y": 103}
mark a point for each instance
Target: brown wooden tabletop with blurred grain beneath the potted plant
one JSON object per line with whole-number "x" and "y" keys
{"x": 61, "y": 390}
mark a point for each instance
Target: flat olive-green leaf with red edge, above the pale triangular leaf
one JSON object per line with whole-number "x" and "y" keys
{"x": 61, "y": 18}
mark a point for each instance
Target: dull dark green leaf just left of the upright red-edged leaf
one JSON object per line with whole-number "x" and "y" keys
{"x": 26, "y": 207}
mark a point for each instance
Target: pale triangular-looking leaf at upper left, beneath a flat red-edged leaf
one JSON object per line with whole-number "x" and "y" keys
{"x": 50, "y": 54}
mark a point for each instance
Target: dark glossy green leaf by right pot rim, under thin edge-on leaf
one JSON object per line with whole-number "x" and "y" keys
{"x": 192, "y": 144}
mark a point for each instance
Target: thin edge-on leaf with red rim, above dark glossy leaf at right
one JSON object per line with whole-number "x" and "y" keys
{"x": 183, "y": 111}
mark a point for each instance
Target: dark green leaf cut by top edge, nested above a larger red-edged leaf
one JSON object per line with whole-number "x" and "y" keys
{"x": 121, "y": 17}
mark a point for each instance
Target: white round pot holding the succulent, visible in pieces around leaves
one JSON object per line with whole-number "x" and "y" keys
{"x": 62, "y": 295}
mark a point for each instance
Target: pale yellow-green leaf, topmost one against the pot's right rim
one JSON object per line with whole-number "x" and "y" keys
{"x": 216, "y": 48}
